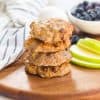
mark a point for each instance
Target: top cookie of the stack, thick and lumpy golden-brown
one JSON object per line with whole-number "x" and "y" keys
{"x": 51, "y": 31}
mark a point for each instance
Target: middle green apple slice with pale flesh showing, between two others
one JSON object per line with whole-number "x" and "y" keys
{"x": 84, "y": 54}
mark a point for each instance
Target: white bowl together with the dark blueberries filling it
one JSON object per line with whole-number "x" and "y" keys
{"x": 86, "y": 16}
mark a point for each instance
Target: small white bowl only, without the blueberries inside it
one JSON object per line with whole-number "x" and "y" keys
{"x": 91, "y": 27}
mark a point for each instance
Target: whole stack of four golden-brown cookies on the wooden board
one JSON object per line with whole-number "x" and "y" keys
{"x": 47, "y": 47}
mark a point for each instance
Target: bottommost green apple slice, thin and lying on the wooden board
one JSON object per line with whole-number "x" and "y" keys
{"x": 85, "y": 64}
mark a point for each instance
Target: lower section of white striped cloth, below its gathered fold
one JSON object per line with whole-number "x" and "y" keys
{"x": 11, "y": 45}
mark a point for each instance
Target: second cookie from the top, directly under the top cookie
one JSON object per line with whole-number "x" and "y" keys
{"x": 38, "y": 46}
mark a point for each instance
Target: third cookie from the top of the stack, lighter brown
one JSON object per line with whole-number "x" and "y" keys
{"x": 49, "y": 59}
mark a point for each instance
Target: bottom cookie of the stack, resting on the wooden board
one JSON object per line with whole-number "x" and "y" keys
{"x": 48, "y": 72}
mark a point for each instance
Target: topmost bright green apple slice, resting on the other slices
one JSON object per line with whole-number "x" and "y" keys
{"x": 91, "y": 46}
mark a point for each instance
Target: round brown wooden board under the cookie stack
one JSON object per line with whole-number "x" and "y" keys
{"x": 80, "y": 84}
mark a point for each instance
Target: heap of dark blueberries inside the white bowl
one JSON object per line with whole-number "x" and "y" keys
{"x": 87, "y": 11}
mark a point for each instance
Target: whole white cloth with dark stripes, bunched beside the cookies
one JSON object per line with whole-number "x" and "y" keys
{"x": 13, "y": 31}
